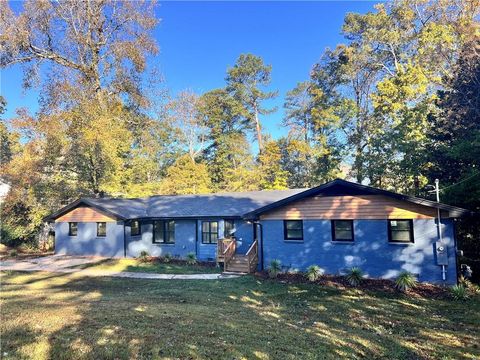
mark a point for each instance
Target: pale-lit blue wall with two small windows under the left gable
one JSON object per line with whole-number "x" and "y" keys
{"x": 87, "y": 243}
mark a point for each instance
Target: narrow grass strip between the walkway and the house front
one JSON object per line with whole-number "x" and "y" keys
{"x": 135, "y": 265}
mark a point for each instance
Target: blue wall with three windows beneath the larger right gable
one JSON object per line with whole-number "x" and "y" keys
{"x": 371, "y": 250}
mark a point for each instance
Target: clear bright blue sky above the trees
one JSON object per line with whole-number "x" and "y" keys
{"x": 199, "y": 40}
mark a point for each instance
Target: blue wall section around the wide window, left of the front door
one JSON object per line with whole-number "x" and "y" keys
{"x": 184, "y": 240}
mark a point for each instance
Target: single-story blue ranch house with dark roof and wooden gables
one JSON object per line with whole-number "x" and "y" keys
{"x": 337, "y": 225}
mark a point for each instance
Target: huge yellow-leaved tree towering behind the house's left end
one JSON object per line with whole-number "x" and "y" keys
{"x": 92, "y": 121}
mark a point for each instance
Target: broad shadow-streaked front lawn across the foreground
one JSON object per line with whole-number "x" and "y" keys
{"x": 68, "y": 316}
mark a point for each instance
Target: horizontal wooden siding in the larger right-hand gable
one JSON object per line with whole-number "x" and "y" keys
{"x": 350, "y": 208}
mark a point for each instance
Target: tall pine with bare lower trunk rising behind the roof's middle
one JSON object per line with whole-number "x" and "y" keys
{"x": 245, "y": 81}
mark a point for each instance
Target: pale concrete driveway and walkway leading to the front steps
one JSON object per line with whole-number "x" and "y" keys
{"x": 64, "y": 264}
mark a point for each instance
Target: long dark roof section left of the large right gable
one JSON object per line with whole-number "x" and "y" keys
{"x": 232, "y": 204}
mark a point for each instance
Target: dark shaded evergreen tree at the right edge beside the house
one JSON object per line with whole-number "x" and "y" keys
{"x": 454, "y": 148}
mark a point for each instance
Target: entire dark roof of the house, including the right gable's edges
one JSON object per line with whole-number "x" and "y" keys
{"x": 249, "y": 204}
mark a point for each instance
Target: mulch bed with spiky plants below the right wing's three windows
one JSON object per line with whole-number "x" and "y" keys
{"x": 422, "y": 290}
